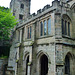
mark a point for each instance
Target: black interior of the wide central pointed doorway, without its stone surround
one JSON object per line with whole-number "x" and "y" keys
{"x": 44, "y": 65}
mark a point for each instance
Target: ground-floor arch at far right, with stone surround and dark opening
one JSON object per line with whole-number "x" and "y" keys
{"x": 69, "y": 63}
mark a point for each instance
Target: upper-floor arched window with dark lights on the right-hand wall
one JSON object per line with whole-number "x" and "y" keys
{"x": 66, "y": 22}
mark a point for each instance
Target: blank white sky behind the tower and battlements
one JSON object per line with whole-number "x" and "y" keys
{"x": 35, "y": 4}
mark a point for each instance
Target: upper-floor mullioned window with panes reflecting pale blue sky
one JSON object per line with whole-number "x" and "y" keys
{"x": 45, "y": 27}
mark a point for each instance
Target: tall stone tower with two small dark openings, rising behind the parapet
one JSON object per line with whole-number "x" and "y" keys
{"x": 20, "y": 8}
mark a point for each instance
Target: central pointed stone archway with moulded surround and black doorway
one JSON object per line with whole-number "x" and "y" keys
{"x": 43, "y": 56}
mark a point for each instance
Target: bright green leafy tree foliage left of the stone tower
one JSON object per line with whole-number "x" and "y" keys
{"x": 7, "y": 22}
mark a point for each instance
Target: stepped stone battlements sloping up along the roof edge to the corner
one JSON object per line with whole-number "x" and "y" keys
{"x": 55, "y": 6}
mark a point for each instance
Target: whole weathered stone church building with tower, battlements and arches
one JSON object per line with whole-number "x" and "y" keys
{"x": 44, "y": 43}
